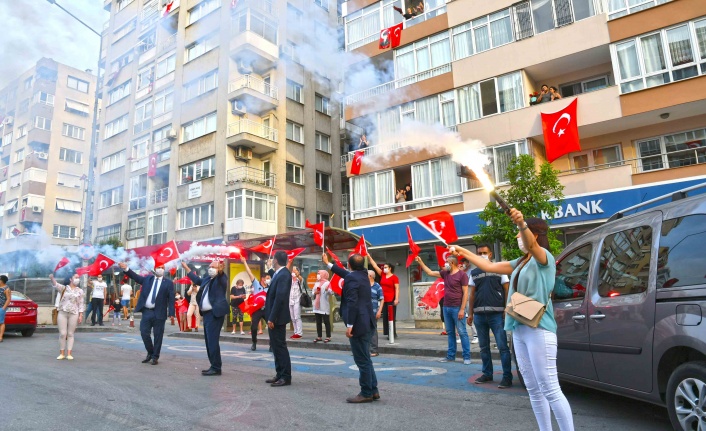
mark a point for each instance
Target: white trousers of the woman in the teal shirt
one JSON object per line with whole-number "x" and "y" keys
{"x": 535, "y": 349}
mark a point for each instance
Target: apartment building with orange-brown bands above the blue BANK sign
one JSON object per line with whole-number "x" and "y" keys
{"x": 637, "y": 69}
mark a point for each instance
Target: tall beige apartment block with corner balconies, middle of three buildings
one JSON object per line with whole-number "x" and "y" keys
{"x": 212, "y": 129}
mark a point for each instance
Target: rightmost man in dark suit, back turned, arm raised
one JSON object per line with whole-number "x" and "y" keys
{"x": 357, "y": 313}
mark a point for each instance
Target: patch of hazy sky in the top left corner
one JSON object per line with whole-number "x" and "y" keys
{"x": 33, "y": 29}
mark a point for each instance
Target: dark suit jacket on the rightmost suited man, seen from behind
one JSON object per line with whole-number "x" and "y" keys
{"x": 356, "y": 305}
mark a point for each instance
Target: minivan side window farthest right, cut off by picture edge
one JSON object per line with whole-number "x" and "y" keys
{"x": 679, "y": 262}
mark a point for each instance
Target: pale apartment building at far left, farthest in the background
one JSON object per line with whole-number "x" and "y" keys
{"x": 47, "y": 118}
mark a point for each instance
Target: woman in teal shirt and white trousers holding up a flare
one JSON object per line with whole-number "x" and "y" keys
{"x": 535, "y": 348}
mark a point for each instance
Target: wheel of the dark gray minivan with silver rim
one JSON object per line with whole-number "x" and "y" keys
{"x": 686, "y": 396}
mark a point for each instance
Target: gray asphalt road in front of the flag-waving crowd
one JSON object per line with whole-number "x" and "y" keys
{"x": 107, "y": 388}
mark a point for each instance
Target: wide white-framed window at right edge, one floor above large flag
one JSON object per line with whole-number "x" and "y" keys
{"x": 660, "y": 58}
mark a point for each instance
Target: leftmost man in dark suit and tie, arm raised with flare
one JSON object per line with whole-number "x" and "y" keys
{"x": 156, "y": 303}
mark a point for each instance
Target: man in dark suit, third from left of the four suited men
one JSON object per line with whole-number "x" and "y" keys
{"x": 277, "y": 315}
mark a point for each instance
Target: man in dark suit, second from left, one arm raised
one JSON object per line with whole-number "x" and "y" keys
{"x": 214, "y": 308}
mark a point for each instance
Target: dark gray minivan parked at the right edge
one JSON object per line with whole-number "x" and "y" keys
{"x": 630, "y": 300}
